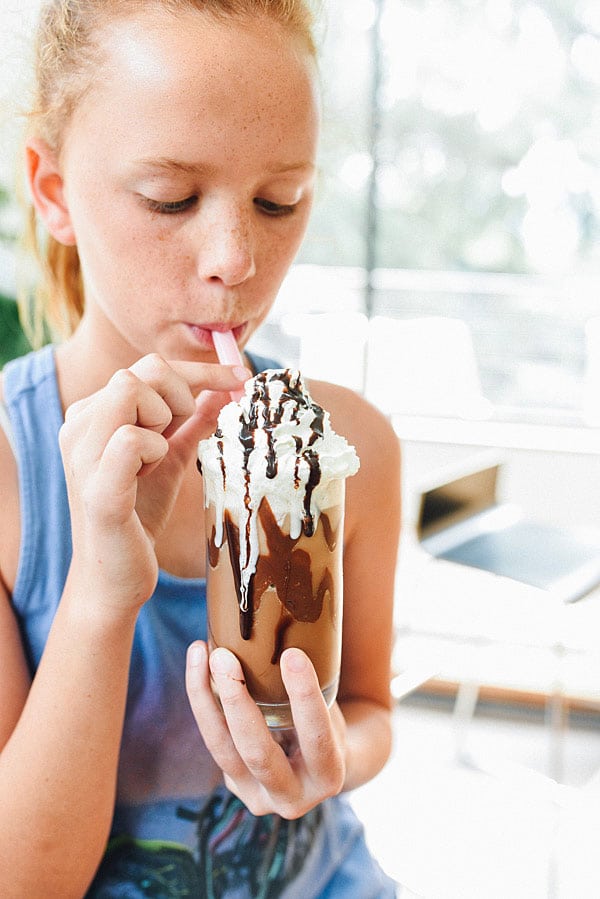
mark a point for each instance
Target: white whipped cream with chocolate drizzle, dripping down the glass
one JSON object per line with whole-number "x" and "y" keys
{"x": 275, "y": 443}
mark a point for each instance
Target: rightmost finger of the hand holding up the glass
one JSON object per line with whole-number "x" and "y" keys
{"x": 318, "y": 744}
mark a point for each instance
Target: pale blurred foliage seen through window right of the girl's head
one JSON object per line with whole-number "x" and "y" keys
{"x": 488, "y": 146}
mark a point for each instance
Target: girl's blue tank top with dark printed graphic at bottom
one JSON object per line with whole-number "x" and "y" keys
{"x": 172, "y": 812}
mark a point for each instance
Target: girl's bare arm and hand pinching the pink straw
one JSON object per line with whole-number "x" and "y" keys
{"x": 125, "y": 451}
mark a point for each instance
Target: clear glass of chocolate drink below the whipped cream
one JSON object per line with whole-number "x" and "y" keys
{"x": 294, "y": 598}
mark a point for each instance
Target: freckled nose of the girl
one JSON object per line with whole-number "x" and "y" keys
{"x": 226, "y": 251}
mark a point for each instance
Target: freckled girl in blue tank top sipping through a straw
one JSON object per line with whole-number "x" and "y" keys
{"x": 171, "y": 160}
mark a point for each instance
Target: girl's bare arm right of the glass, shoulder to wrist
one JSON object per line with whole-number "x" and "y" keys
{"x": 370, "y": 554}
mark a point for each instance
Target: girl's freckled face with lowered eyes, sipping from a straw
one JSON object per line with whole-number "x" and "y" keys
{"x": 189, "y": 171}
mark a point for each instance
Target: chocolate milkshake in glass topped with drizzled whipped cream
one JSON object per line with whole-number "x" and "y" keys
{"x": 274, "y": 486}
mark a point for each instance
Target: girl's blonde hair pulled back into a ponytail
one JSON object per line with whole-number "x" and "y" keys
{"x": 67, "y": 56}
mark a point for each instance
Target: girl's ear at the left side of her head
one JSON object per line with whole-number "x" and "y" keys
{"x": 47, "y": 191}
